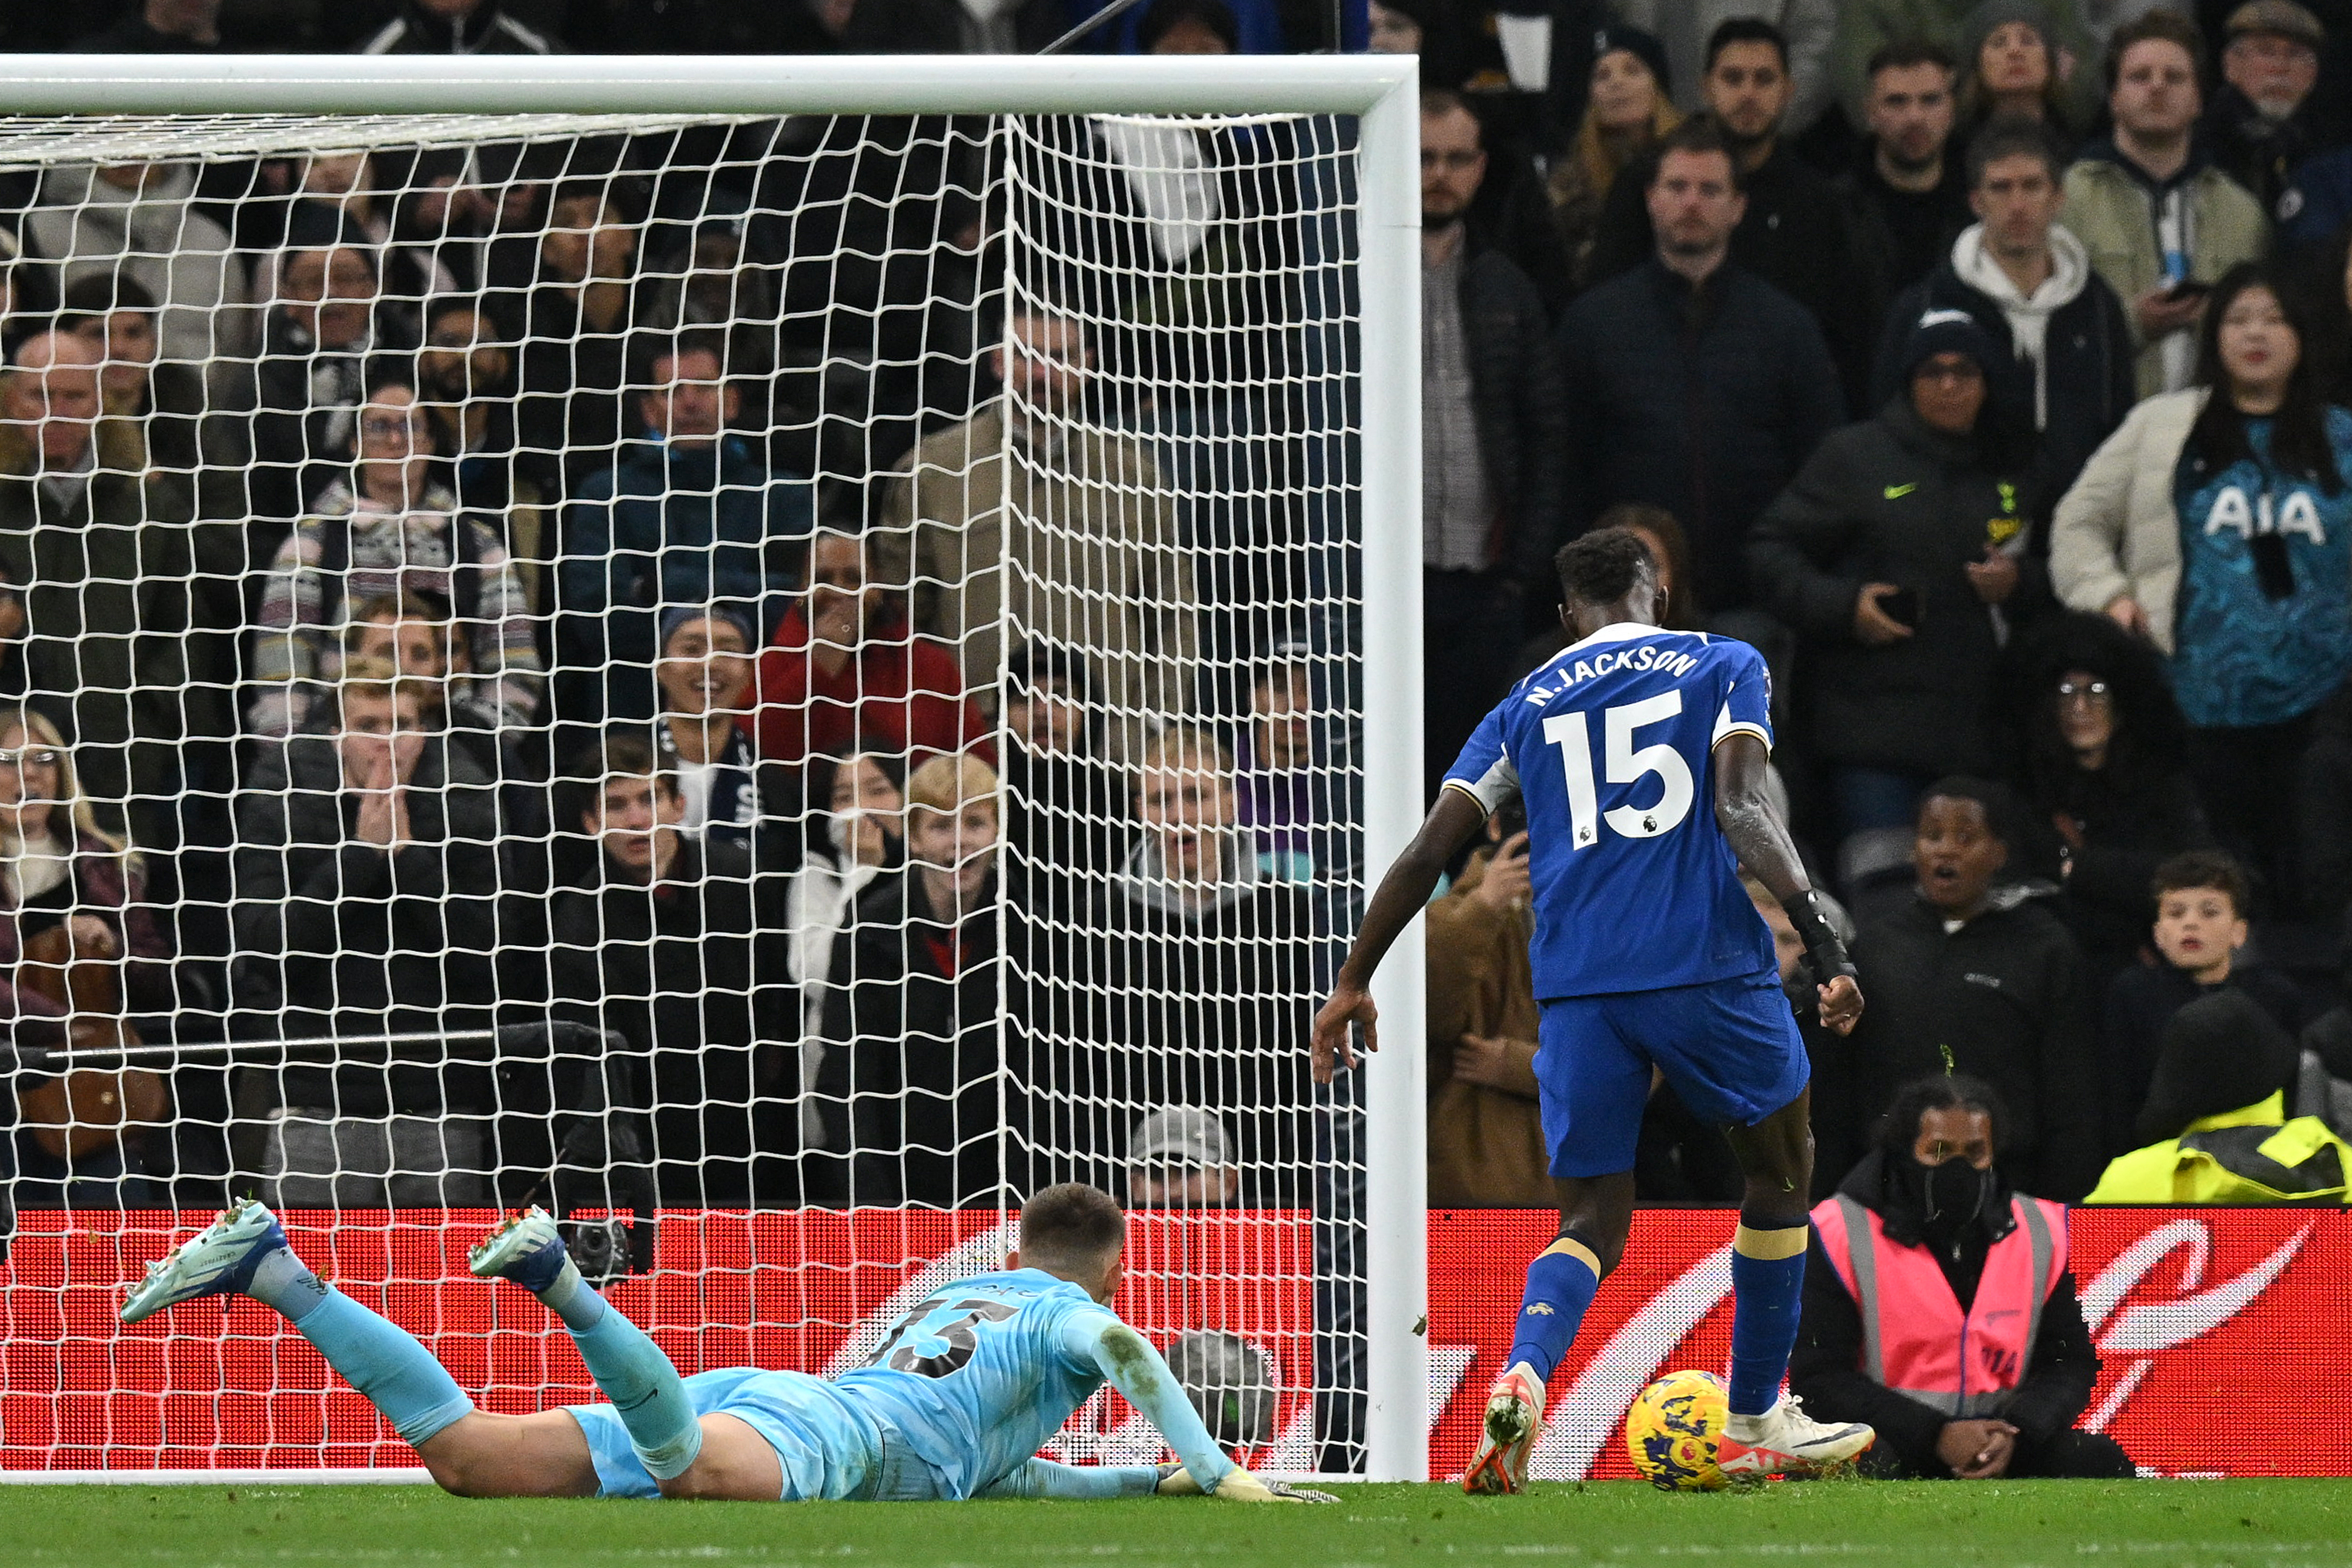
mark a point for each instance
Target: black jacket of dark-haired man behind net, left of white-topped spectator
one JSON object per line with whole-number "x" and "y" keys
{"x": 695, "y": 974}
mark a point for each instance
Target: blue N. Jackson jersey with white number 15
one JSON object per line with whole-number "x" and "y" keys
{"x": 1612, "y": 749}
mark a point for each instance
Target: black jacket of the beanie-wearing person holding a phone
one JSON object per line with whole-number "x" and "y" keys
{"x": 1892, "y": 502}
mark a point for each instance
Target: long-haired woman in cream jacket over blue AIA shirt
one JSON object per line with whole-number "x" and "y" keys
{"x": 2217, "y": 523}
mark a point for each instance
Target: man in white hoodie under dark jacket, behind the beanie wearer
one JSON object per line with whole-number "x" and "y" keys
{"x": 2029, "y": 283}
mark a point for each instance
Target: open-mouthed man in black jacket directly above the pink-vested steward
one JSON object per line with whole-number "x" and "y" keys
{"x": 1977, "y": 977}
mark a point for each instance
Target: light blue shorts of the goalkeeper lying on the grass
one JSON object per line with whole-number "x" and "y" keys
{"x": 824, "y": 1452}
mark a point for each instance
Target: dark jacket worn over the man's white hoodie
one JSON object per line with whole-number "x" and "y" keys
{"x": 2090, "y": 368}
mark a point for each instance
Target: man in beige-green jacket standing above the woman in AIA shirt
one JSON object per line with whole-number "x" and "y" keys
{"x": 2163, "y": 225}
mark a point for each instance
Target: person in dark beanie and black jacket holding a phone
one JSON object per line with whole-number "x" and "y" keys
{"x": 1899, "y": 558}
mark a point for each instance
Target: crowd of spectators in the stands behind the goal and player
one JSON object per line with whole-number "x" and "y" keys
{"x": 436, "y": 617}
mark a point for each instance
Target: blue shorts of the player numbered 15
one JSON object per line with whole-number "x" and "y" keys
{"x": 1728, "y": 1047}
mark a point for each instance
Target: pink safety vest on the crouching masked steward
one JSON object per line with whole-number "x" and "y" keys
{"x": 1916, "y": 1341}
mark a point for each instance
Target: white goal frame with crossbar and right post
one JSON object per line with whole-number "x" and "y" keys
{"x": 1382, "y": 91}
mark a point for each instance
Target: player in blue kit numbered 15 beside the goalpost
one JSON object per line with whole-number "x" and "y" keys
{"x": 1641, "y": 756}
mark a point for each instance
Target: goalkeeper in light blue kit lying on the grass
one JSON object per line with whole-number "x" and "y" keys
{"x": 956, "y": 1402}
